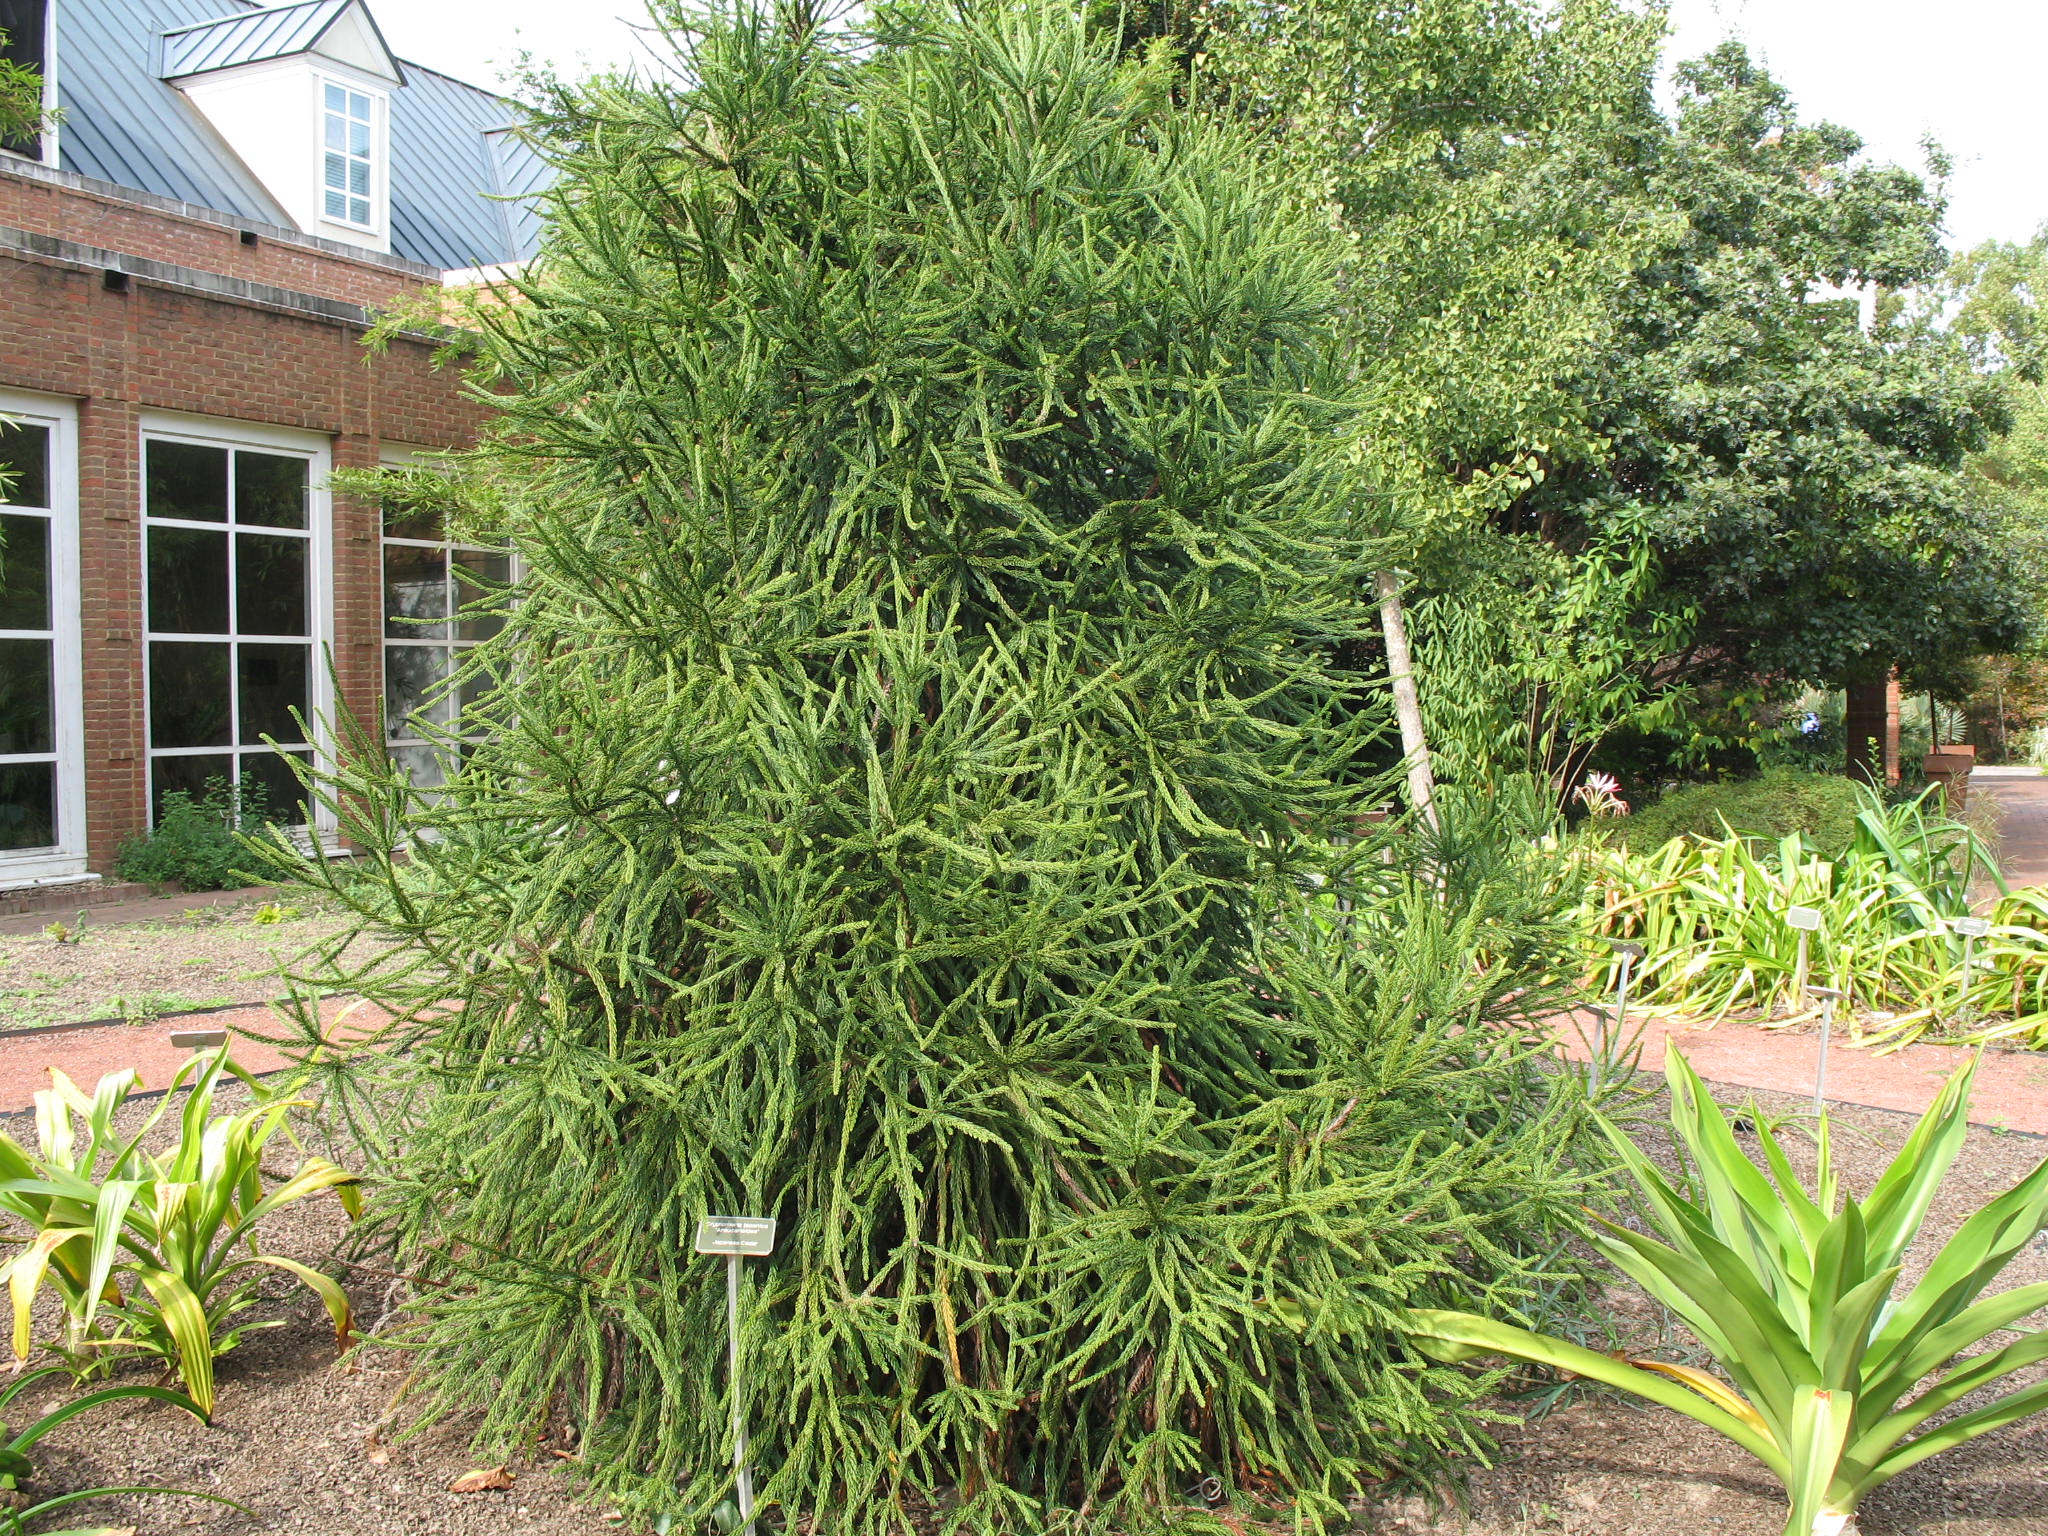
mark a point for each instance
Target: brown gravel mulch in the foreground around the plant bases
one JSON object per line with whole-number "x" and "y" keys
{"x": 312, "y": 1447}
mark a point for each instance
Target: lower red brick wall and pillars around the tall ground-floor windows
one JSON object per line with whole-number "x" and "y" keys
{"x": 153, "y": 349}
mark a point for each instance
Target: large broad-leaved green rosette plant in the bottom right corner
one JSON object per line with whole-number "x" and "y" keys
{"x": 1832, "y": 1379}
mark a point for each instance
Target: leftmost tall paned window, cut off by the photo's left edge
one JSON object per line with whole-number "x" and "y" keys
{"x": 42, "y": 798}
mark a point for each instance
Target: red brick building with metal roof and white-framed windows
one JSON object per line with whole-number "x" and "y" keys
{"x": 187, "y": 265}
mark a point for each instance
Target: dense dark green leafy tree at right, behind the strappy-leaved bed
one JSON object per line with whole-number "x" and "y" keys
{"x": 1797, "y": 476}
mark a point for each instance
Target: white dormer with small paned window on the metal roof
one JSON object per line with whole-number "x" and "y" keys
{"x": 302, "y": 93}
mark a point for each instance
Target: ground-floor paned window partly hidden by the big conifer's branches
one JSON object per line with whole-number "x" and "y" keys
{"x": 429, "y": 585}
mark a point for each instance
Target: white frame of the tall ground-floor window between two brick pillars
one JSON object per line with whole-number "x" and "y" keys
{"x": 318, "y": 452}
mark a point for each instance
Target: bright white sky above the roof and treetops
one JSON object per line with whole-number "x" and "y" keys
{"x": 1971, "y": 73}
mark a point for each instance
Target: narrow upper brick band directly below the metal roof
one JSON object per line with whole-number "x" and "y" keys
{"x": 163, "y": 237}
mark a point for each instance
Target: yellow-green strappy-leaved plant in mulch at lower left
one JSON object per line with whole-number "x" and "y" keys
{"x": 181, "y": 1228}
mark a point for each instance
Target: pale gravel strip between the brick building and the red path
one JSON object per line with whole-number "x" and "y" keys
{"x": 138, "y": 972}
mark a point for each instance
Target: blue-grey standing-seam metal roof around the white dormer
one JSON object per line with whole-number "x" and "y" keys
{"x": 128, "y": 126}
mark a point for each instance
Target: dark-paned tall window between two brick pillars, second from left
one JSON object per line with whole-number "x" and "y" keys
{"x": 232, "y": 620}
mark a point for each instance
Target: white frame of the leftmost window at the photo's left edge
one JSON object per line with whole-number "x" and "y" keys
{"x": 67, "y": 859}
